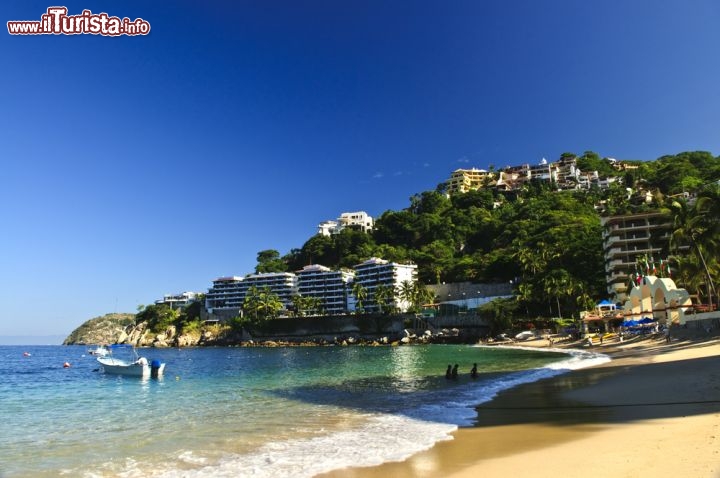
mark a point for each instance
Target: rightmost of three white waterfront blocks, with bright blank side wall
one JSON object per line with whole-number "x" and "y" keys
{"x": 375, "y": 272}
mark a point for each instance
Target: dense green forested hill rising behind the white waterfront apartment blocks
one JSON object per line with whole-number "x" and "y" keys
{"x": 550, "y": 239}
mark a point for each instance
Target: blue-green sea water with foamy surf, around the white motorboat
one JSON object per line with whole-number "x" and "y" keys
{"x": 256, "y": 412}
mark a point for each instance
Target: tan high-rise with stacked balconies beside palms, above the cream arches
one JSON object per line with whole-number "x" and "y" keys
{"x": 625, "y": 238}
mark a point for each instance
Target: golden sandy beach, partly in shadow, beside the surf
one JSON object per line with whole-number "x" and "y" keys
{"x": 653, "y": 411}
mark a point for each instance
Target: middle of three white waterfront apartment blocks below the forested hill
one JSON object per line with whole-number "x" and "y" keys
{"x": 331, "y": 287}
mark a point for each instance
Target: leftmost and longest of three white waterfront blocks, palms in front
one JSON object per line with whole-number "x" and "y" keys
{"x": 228, "y": 293}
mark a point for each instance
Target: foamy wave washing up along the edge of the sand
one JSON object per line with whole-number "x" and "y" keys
{"x": 382, "y": 438}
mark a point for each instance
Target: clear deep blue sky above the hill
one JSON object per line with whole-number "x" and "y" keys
{"x": 137, "y": 166}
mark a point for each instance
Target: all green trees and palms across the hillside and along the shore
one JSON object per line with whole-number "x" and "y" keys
{"x": 547, "y": 243}
